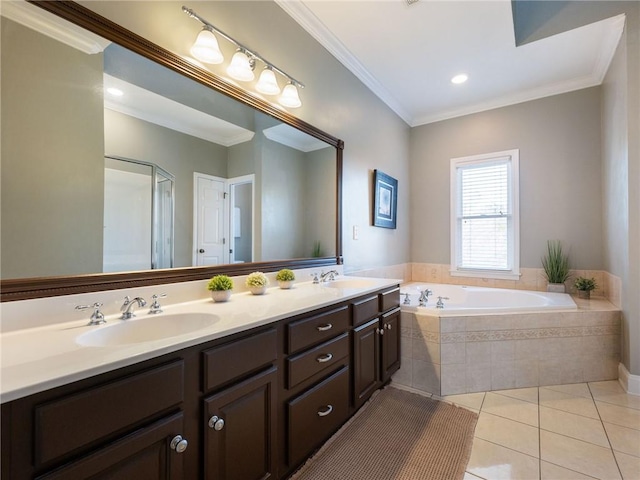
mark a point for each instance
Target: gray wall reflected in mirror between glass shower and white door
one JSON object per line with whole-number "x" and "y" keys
{"x": 177, "y": 153}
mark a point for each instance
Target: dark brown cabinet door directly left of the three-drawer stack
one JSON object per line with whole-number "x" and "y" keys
{"x": 239, "y": 440}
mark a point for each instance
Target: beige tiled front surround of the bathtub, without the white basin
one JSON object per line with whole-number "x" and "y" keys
{"x": 464, "y": 354}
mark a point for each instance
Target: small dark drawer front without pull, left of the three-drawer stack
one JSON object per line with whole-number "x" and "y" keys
{"x": 238, "y": 358}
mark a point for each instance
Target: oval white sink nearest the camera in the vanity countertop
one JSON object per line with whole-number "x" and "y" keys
{"x": 146, "y": 329}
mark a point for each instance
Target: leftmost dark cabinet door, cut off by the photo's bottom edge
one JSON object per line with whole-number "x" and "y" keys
{"x": 145, "y": 454}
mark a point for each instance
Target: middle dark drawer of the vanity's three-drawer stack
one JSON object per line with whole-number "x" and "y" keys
{"x": 307, "y": 364}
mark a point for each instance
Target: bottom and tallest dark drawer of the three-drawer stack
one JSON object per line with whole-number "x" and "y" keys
{"x": 316, "y": 414}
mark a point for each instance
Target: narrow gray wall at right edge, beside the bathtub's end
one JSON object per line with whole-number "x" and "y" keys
{"x": 621, "y": 181}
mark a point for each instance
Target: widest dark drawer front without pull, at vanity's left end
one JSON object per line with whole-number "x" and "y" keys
{"x": 78, "y": 420}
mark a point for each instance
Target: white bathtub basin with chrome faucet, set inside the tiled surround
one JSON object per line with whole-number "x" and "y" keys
{"x": 464, "y": 300}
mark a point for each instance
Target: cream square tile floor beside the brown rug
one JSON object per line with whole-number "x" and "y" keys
{"x": 563, "y": 432}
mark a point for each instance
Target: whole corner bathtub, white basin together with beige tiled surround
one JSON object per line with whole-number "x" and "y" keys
{"x": 488, "y": 339}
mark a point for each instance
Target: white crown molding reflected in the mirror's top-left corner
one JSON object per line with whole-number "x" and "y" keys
{"x": 54, "y": 27}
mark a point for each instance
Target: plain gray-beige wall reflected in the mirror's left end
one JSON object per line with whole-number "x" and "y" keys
{"x": 55, "y": 130}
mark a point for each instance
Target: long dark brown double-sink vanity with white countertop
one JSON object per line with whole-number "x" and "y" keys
{"x": 247, "y": 399}
